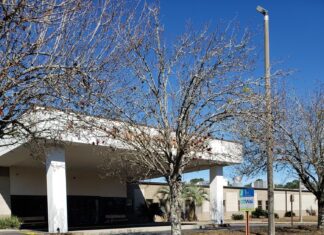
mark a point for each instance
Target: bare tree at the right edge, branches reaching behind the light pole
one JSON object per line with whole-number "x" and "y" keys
{"x": 298, "y": 142}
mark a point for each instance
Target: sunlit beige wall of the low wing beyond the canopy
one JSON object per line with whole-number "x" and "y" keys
{"x": 231, "y": 200}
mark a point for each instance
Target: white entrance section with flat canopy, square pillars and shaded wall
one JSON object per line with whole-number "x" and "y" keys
{"x": 63, "y": 186}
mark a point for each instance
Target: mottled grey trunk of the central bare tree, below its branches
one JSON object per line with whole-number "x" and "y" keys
{"x": 175, "y": 204}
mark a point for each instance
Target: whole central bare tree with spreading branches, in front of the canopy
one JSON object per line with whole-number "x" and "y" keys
{"x": 177, "y": 96}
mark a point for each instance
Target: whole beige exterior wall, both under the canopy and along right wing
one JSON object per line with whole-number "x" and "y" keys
{"x": 32, "y": 181}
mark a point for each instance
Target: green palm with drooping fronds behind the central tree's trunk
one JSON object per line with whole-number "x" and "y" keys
{"x": 191, "y": 193}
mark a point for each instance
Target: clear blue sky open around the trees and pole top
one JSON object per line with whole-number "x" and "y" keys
{"x": 296, "y": 36}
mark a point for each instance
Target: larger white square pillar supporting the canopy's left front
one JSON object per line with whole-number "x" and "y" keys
{"x": 56, "y": 190}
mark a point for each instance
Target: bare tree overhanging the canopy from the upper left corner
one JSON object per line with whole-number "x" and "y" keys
{"x": 53, "y": 52}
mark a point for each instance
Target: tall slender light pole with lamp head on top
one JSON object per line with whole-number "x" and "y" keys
{"x": 269, "y": 144}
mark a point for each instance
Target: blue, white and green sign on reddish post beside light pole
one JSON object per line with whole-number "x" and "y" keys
{"x": 247, "y": 205}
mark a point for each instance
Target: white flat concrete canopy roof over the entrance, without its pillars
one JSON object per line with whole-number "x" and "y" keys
{"x": 88, "y": 149}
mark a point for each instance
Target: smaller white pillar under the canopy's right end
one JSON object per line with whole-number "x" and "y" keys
{"x": 216, "y": 194}
